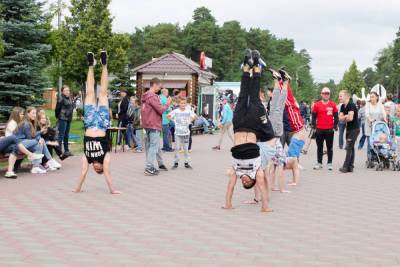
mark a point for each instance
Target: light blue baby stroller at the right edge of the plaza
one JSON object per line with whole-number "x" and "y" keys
{"x": 383, "y": 154}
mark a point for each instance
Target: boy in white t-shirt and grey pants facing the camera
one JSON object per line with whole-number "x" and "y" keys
{"x": 182, "y": 118}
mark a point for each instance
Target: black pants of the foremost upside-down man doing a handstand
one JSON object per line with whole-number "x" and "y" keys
{"x": 250, "y": 114}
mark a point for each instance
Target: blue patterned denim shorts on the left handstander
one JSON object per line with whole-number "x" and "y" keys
{"x": 97, "y": 117}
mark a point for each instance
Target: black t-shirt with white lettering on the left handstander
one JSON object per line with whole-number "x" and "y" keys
{"x": 96, "y": 148}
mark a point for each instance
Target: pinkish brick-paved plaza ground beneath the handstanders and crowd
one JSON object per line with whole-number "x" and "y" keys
{"x": 175, "y": 219}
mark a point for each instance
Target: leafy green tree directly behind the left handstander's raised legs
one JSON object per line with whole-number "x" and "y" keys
{"x": 88, "y": 28}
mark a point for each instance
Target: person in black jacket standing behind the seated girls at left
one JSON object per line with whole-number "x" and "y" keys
{"x": 64, "y": 111}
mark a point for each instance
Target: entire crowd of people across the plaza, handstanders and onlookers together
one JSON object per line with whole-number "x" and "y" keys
{"x": 259, "y": 127}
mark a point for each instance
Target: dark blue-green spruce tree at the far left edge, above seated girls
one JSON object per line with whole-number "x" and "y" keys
{"x": 24, "y": 28}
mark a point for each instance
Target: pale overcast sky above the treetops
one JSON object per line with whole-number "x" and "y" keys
{"x": 333, "y": 32}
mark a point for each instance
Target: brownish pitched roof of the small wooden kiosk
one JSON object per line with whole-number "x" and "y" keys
{"x": 174, "y": 63}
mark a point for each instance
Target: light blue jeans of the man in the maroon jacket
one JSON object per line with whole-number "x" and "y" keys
{"x": 152, "y": 145}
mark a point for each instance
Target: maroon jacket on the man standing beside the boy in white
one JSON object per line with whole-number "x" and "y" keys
{"x": 152, "y": 111}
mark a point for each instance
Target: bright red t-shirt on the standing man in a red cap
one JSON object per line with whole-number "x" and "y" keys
{"x": 324, "y": 112}
